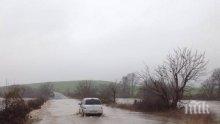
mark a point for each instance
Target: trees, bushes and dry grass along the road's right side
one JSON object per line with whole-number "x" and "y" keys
{"x": 161, "y": 90}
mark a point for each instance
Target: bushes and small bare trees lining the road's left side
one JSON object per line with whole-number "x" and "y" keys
{"x": 16, "y": 108}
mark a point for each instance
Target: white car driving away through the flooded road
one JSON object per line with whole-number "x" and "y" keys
{"x": 91, "y": 106}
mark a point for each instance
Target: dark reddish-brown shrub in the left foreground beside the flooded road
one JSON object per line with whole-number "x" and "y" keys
{"x": 15, "y": 109}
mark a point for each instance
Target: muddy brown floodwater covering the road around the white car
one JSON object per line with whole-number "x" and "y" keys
{"x": 65, "y": 111}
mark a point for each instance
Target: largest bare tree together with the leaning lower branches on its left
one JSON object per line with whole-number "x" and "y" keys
{"x": 181, "y": 67}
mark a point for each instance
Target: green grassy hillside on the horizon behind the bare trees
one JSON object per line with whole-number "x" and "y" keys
{"x": 62, "y": 86}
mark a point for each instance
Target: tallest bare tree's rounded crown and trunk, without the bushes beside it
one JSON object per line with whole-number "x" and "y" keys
{"x": 181, "y": 67}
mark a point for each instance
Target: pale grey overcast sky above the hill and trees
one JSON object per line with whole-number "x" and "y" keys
{"x": 53, "y": 40}
